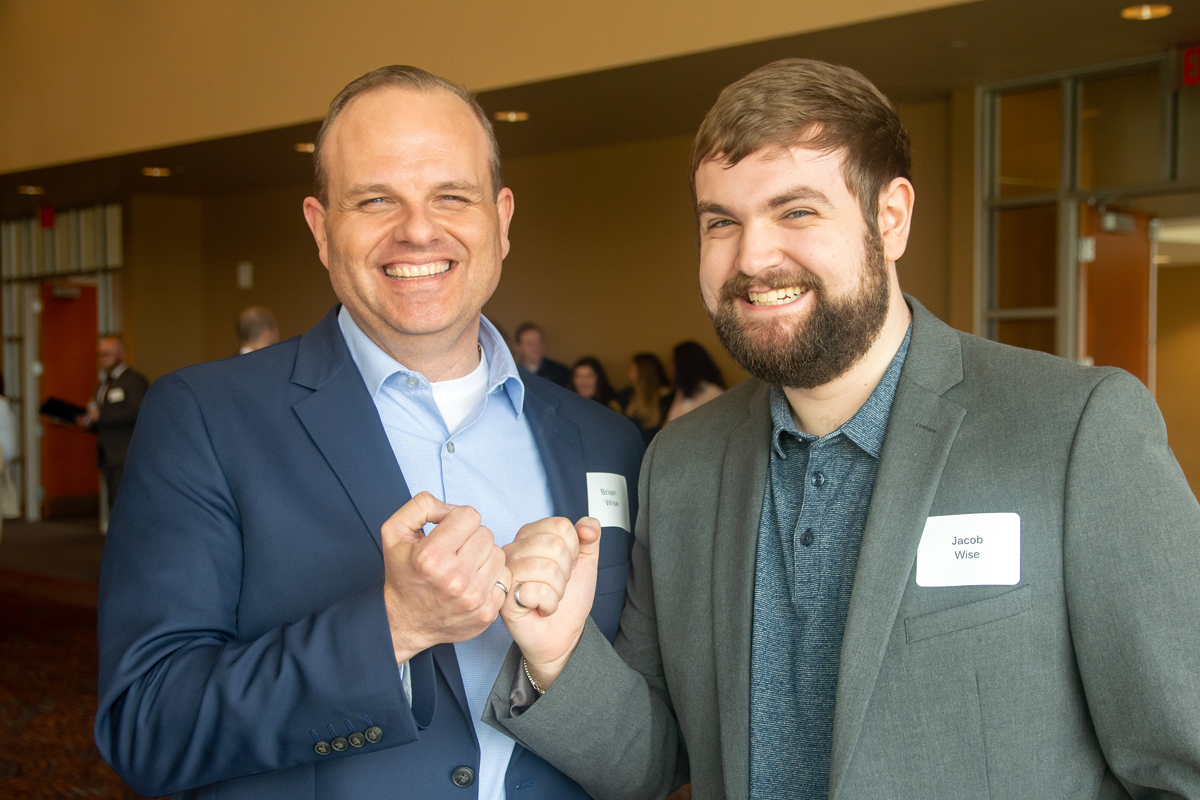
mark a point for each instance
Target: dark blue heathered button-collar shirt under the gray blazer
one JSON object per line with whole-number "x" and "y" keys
{"x": 819, "y": 491}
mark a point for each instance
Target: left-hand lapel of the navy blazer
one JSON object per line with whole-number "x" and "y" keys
{"x": 345, "y": 425}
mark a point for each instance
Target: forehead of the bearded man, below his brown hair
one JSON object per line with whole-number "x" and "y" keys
{"x": 771, "y": 171}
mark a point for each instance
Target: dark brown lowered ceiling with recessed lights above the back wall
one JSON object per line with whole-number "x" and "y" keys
{"x": 913, "y": 58}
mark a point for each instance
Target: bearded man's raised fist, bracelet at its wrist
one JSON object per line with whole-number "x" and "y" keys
{"x": 555, "y": 564}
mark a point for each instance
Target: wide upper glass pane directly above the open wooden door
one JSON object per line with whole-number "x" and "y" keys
{"x": 1121, "y": 125}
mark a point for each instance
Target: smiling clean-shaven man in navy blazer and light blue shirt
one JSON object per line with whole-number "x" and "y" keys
{"x": 299, "y": 598}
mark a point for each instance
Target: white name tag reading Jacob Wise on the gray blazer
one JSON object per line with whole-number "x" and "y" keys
{"x": 970, "y": 550}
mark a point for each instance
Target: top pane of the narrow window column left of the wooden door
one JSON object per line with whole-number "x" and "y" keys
{"x": 1030, "y": 143}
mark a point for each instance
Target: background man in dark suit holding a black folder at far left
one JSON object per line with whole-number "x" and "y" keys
{"x": 113, "y": 411}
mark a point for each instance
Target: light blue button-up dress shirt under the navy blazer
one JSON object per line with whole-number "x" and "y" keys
{"x": 491, "y": 464}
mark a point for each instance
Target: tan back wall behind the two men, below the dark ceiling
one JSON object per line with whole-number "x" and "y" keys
{"x": 604, "y": 256}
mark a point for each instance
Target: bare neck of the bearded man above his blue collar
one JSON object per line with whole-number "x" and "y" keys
{"x": 824, "y": 410}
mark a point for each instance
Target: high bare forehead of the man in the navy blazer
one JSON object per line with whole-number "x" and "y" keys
{"x": 407, "y": 130}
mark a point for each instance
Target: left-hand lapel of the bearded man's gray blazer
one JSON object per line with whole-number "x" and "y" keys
{"x": 735, "y": 548}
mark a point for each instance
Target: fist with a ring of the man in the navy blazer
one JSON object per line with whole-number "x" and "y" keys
{"x": 442, "y": 587}
